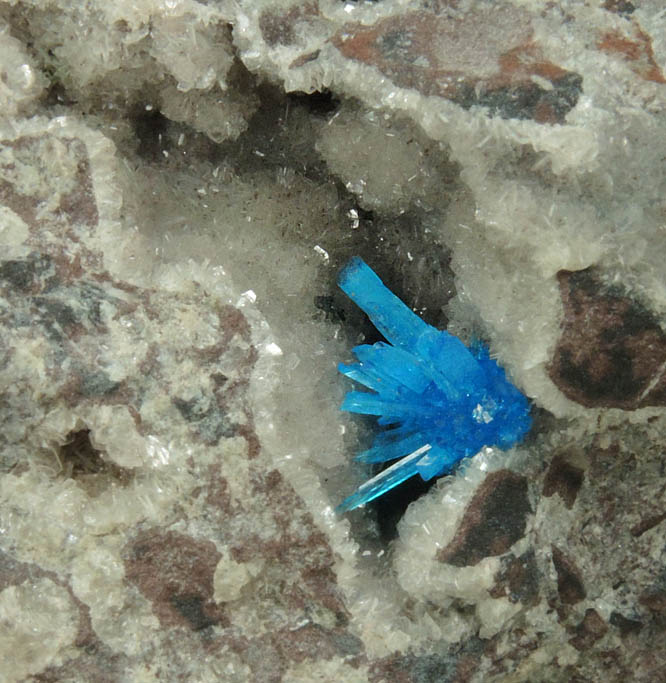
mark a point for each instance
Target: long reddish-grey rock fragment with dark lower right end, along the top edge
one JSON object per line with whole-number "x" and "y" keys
{"x": 467, "y": 59}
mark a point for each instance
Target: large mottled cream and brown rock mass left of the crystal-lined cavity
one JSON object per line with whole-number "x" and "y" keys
{"x": 140, "y": 454}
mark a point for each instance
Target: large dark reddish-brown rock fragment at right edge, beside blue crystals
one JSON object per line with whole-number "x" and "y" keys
{"x": 612, "y": 351}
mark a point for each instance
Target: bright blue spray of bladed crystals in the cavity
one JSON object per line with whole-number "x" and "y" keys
{"x": 437, "y": 400}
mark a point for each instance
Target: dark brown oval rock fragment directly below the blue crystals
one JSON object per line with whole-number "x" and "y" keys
{"x": 494, "y": 520}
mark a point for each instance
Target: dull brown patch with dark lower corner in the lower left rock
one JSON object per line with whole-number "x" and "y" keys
{"x": 175, "y": 572}
